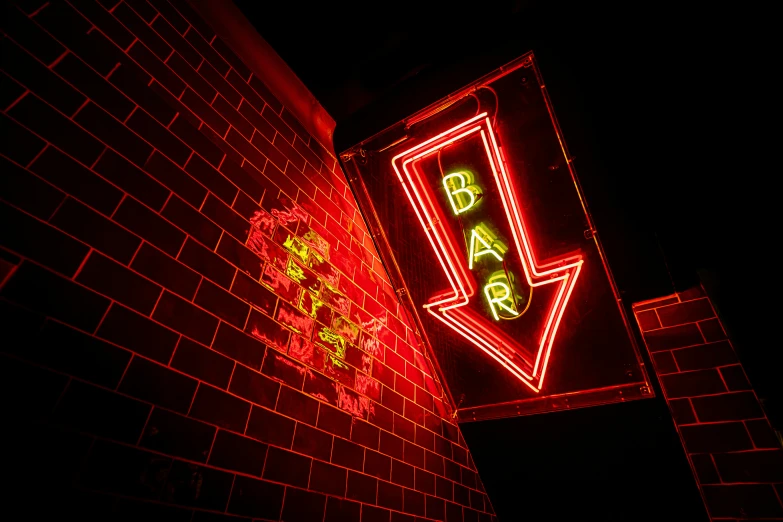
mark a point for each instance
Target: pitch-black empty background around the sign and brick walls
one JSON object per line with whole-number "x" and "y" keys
{"x": 664, "y": 108}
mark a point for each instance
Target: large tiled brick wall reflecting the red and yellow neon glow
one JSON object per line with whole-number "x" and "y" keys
{"x": 196, "y": 325}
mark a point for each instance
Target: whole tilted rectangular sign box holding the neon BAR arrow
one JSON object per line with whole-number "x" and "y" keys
{"x": 476, "y": 210}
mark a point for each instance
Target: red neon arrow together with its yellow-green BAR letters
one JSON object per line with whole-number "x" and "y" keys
{"x": 527, "y": 363}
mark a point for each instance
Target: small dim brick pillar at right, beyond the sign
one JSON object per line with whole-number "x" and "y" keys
{"x": 734, "y": 454}
